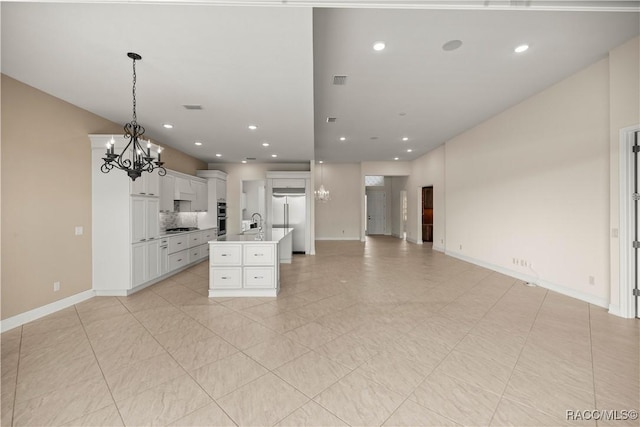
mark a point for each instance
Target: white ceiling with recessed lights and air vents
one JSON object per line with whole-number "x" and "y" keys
{"x": 274, "y": 66}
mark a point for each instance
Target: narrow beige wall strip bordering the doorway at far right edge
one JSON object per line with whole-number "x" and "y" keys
{"x": 624, "y": 101}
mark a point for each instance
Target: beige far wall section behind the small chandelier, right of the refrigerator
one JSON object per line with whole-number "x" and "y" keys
{"x": 339, "y": 218}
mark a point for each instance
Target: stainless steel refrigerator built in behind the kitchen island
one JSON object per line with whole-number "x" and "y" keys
{"x": 289, "y": 210}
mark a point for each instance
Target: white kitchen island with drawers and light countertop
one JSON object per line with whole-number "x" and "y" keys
{"x": 246, "y": 266}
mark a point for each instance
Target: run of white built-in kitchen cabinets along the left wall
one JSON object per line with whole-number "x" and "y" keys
{"x": 127, "y": 251}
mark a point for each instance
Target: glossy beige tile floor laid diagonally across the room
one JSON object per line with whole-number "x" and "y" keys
{"x": 382, "y": 333}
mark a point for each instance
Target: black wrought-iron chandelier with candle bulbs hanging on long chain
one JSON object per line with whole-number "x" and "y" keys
{"x": 134, "y": 159}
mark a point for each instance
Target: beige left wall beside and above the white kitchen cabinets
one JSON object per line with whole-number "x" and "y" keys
{"x": 46, "y": 193}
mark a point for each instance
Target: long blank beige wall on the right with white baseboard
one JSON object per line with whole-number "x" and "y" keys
{"x": 532, "y": 183}
